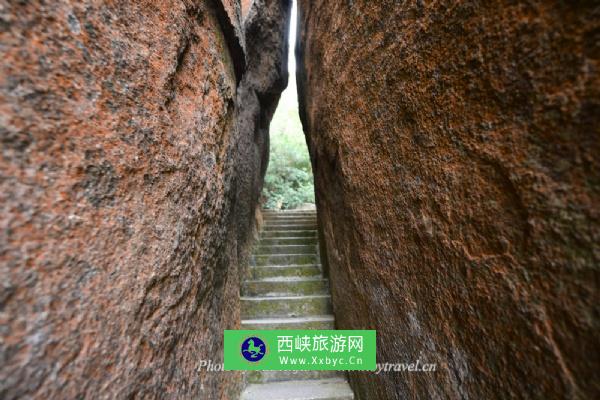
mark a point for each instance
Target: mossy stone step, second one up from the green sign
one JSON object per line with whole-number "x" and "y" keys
{"x": 285, "y": 306}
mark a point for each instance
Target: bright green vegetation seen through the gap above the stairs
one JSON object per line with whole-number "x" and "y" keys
{"x": 289, "y": 180}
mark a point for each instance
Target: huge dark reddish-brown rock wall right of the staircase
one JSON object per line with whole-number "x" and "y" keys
{"x": 455, "y": 147}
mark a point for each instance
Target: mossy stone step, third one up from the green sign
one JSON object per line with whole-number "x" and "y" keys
{"x": 286, "y": 286}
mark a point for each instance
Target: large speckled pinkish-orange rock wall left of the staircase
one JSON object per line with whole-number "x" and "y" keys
{"x": 125, "y": 209}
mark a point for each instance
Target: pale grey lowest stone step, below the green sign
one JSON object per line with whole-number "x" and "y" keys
{"x": 322, "y": 389}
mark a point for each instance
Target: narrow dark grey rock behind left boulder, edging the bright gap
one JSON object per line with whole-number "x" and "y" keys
{"x": 266, "y": 25}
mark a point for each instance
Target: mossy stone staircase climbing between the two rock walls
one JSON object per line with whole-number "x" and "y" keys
{"x": 287, "y": 290}
